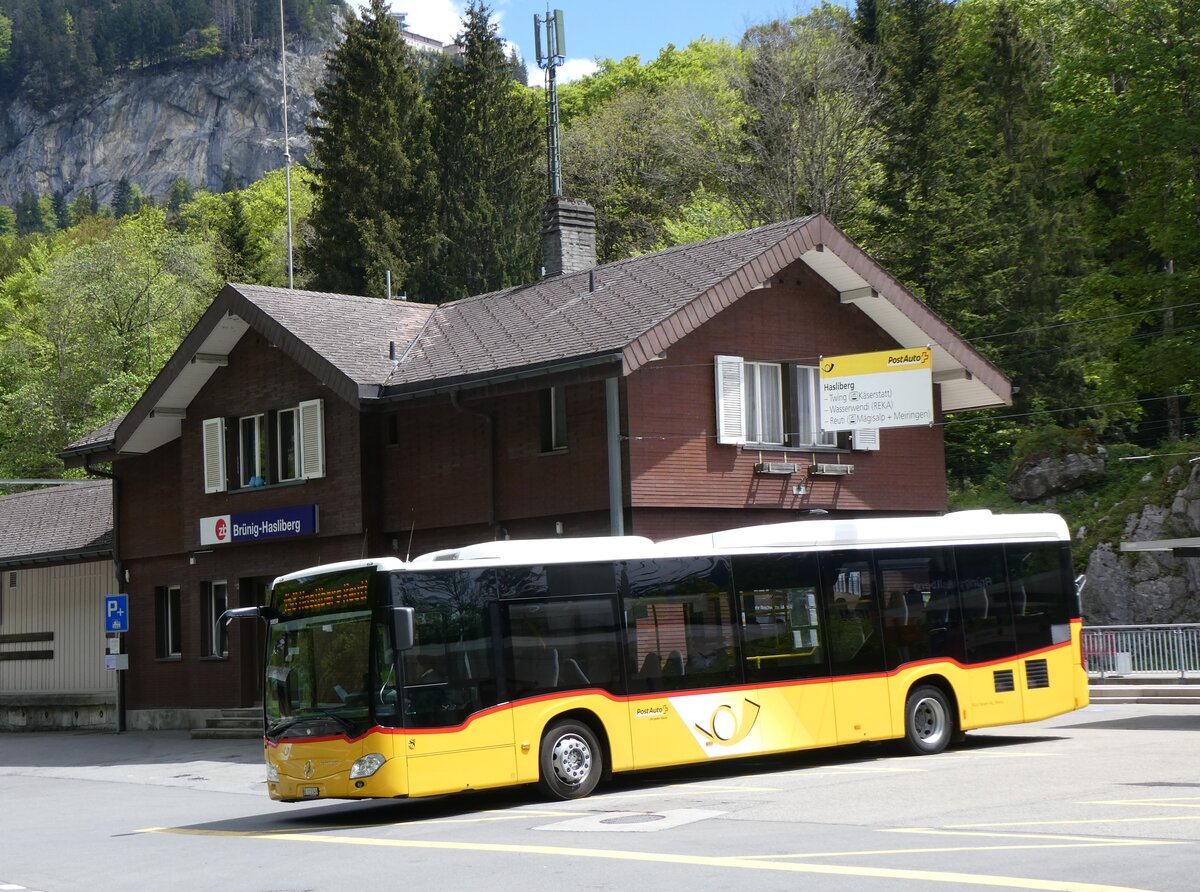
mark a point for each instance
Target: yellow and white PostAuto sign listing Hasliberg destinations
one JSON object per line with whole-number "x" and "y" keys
{"x": 874, "y": 391}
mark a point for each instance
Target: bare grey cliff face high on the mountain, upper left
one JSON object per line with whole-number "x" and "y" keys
{"x": 184, "y": 121}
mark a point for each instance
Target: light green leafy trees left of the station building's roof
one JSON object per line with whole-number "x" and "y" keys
{"x": 89, "y": 316}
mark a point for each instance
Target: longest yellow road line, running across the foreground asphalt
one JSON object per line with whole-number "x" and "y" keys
{"x": 743, "y": 864}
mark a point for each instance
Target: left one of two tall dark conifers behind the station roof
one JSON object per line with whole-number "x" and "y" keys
{"x": 377, "y": 183}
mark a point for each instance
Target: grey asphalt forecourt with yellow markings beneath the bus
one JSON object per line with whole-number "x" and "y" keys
{"x": 1105, "y": 799}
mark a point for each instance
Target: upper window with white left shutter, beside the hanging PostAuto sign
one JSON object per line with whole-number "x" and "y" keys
{"x": 770, "y": 404}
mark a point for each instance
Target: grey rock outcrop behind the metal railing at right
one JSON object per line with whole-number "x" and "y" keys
{"x": 1151, "y": 586}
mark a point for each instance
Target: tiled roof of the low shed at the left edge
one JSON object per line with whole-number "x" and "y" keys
{"x": 57, "y": 524}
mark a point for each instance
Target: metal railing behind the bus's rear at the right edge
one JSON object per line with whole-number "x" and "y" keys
{"x": 1149, "y": 651}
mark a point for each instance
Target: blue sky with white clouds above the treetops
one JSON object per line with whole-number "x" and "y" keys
{"x": 607, "y": 29}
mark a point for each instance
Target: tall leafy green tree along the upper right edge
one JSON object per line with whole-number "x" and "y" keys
{"x": 1126, "y": 94}
